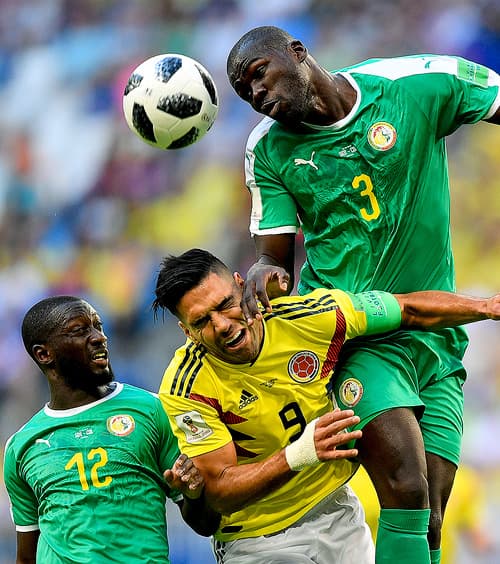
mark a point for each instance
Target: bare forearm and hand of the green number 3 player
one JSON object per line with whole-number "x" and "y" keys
{"x": 272, "y": 275}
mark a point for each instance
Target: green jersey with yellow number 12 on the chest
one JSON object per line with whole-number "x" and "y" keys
{"x": 90, "y": 478}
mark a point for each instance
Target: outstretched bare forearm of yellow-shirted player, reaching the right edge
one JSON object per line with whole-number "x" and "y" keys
{"x": 436, "y": 309}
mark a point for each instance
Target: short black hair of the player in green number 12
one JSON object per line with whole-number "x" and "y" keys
{"x": 40, "y": 320}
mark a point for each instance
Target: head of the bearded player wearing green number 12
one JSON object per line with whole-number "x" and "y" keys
{"x": 64, "y": 336}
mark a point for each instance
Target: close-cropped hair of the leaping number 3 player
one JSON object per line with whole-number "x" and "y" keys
{"x": 259, "y": 40}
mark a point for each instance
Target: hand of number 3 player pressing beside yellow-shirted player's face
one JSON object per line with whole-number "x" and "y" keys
{"x": 263, "y": 283}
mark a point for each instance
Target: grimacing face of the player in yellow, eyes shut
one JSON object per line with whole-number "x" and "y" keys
{"x": 210, "y": 314}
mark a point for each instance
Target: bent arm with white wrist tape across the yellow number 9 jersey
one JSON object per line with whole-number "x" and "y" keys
{"x": 229, "y": 487}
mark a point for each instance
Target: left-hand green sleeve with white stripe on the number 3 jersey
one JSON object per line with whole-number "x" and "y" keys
{"x": 273, "y": 210}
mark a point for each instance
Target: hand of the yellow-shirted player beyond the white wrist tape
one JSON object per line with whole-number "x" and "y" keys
{"x": 331, "y": 432}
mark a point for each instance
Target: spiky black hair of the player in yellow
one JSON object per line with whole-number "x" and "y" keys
{"x": 179, "y": 274}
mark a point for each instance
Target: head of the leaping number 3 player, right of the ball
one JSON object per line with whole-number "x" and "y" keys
{"x": 270, "y": 70}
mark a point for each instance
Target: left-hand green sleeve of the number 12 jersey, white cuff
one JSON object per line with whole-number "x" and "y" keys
{"x": 23, "y": 503}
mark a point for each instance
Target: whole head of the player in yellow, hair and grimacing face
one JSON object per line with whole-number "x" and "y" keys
{"x": 205, "y": 296}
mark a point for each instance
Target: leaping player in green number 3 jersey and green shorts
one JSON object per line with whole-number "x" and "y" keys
{"x": 357, "y": 159}
